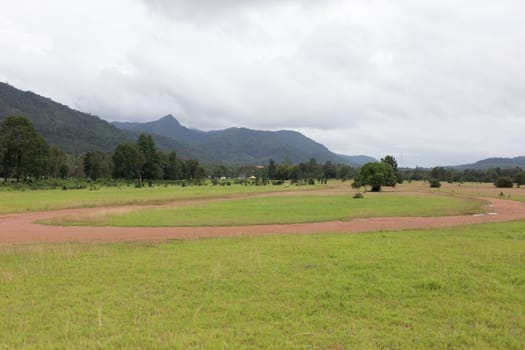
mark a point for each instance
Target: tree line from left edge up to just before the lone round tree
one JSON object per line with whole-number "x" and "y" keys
{"x": 25, "y": 154}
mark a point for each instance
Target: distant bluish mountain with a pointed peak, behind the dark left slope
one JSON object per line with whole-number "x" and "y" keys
{"x": 244, "y": 146}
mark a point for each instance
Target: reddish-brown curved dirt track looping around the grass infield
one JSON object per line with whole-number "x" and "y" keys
{"x": 19, "y": 228}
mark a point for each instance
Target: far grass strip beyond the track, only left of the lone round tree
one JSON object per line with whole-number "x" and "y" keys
{"x": 32, "y": 200}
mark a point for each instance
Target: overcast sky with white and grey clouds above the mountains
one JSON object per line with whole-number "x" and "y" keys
{"x": 431, "y": 82}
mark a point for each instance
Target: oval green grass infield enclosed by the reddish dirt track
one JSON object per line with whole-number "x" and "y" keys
{"x": 284, "y": 209}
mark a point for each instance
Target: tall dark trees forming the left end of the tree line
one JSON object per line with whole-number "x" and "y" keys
{"x": 25, "y": 154}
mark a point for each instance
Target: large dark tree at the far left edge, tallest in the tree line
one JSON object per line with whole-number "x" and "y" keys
{"x": 25, "y": 151}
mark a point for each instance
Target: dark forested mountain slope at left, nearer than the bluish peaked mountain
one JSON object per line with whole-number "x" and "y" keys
{"x": 73, "y": 131}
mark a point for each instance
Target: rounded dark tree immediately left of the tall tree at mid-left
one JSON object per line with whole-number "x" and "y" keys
{"x": 127, "y": 162}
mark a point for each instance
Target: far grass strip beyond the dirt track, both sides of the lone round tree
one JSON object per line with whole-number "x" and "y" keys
{"x": 32, "y": 200}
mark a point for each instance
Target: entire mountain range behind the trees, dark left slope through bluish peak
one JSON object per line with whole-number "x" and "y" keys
{"x": 76, "y": 132}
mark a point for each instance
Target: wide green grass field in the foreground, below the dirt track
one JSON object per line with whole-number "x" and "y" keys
{"x": 449, "y": 288}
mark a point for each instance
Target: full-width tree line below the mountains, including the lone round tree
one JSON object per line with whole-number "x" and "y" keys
{"x": 25, "y": 154}
